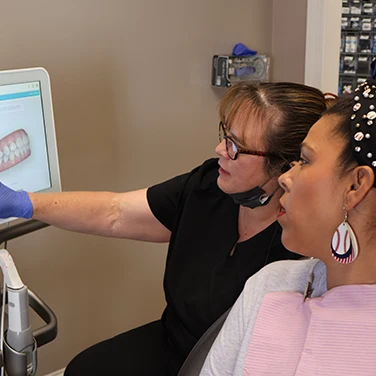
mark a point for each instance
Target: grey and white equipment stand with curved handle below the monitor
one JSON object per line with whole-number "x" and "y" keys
{"x": 20, "y": 343}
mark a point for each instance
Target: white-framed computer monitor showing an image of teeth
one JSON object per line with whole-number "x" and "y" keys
{"x": 28, "y": 151}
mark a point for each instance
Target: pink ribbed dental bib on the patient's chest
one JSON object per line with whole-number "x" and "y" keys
{"x": 332, "y": 335}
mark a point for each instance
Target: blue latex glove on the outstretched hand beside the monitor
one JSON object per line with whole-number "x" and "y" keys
{"x": 14, "y": 204}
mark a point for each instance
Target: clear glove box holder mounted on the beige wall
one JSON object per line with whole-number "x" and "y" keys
{"x": 228, "y": 69}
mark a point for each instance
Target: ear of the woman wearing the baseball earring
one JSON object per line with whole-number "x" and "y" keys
{"x": 362, "y": 179}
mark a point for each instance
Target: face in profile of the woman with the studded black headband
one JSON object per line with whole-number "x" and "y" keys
{"x": 314, "y": 193}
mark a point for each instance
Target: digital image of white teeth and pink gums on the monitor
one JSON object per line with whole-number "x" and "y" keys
{"x": 14, "y": 148}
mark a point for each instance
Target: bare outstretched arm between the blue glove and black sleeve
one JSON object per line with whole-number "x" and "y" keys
{"x": 121, "y": 215}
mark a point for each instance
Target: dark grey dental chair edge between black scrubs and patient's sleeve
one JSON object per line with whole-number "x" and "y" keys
{"x": 196, "y": 358}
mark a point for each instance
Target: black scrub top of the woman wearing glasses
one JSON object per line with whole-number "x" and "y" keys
{"x": 202, "y": 280}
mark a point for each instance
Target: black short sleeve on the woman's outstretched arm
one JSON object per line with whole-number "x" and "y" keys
{"x": 163, "y": 199}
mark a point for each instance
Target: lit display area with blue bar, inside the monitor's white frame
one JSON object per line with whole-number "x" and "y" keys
{"x": 23, "y": 151}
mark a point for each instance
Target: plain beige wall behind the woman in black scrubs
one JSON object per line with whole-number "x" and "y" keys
{"x": 133, "y": 106}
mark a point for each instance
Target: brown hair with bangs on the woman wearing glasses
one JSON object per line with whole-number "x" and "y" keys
{"x": 285, "y": 110}
